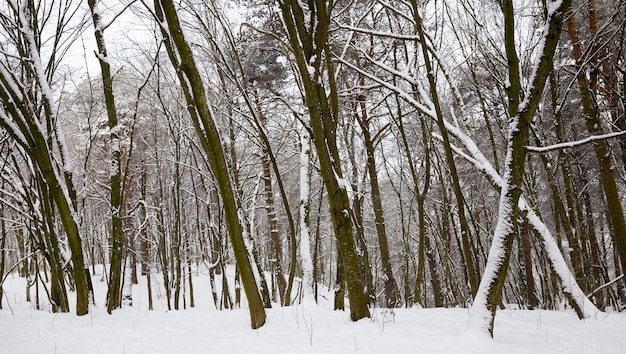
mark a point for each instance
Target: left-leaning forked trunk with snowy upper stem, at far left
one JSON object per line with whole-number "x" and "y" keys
{"x": 24, "y": 126}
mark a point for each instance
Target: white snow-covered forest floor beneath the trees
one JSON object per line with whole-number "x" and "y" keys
{"x": 307, "y": 328}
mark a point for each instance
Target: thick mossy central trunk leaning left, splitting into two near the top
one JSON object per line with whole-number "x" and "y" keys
{"x": 311, "y": 49}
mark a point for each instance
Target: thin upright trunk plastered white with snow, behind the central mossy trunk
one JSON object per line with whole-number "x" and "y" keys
{"x": 305, "y": 208}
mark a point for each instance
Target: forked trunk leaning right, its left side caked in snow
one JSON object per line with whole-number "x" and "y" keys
{"x": 489, "y": 295}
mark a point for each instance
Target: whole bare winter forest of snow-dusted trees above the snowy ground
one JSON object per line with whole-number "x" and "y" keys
{"x": 391, "y": 153}
